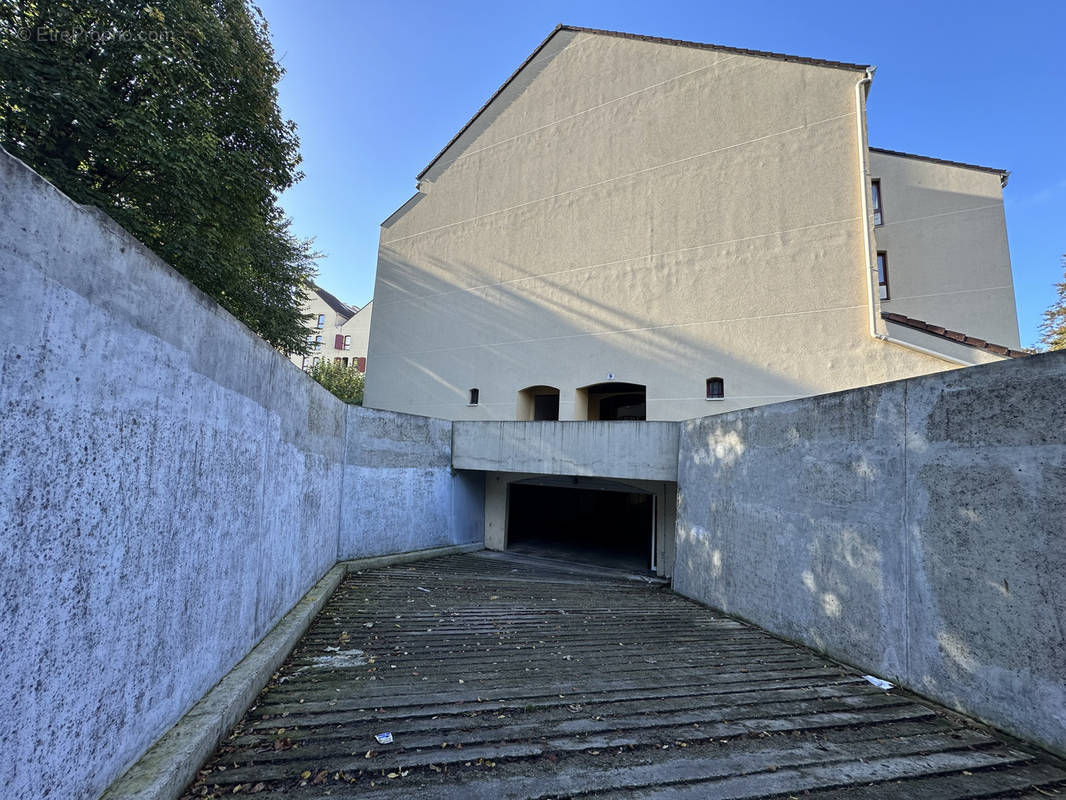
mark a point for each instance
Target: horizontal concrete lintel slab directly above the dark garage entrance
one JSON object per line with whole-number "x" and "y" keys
{"x": 644, "y": 451}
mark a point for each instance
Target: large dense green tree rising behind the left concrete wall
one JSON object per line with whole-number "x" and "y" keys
{"x": 165, "y": 115}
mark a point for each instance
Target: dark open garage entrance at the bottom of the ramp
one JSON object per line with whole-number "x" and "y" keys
{"x": 610, "y": 525}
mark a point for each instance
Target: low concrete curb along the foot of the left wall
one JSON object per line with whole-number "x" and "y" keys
{"x": 170, "y": 765}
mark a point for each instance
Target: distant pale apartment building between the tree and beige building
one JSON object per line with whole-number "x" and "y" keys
{"x": 338, "y": 332}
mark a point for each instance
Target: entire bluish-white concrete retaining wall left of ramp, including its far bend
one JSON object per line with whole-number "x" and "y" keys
{"x": 170, "y": 487}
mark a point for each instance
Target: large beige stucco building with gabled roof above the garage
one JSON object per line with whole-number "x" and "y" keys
{"x": 637, "y": 228}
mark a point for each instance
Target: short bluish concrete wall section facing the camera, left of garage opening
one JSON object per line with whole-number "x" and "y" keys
{"x": 401, "y": 492}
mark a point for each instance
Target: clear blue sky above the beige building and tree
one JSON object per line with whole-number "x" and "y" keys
{"x": 378, "y": 89}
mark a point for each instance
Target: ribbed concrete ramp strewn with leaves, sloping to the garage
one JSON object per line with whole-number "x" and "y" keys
{"x": 514, "y": 679}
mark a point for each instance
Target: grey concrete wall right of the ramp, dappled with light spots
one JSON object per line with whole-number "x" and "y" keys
{"x": 916, "y": 529}
